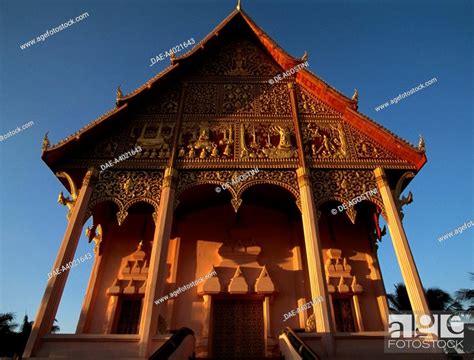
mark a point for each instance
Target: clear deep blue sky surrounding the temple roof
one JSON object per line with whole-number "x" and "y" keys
{"x": 382, "y": 48}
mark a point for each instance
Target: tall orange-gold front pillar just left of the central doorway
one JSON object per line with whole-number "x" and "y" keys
{"x": 157, "y": 269}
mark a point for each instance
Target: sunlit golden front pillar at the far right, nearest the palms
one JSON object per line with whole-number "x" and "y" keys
{"x": 402, "y": 248}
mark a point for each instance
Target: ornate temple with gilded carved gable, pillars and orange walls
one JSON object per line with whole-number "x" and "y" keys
{"x": 240, "y": 198}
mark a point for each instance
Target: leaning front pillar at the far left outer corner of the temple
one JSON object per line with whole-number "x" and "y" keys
{"x": 55, "y": 287}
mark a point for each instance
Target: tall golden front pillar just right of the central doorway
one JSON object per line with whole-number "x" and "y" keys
{"x": 314, "y": 258}
